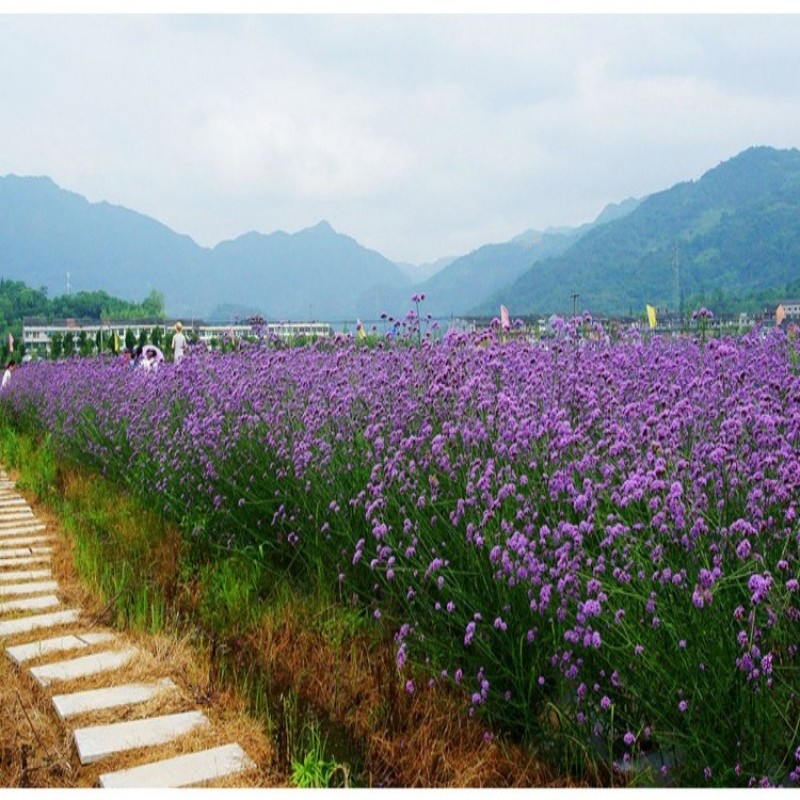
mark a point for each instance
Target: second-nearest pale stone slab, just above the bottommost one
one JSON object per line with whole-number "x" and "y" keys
{"x": 99, "y": 741}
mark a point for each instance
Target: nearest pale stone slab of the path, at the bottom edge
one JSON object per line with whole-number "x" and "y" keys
{"x": 185, "y": 770}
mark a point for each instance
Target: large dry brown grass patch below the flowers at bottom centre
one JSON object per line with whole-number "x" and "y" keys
{"x": 419, "y": 740}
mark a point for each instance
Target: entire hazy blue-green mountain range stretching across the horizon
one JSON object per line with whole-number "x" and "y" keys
{"x": 731, "y": 233}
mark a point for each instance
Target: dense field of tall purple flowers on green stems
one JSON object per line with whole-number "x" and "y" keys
{"x": 599, "y": 542}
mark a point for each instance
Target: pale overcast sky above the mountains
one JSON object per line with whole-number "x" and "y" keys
{"x": 421, "y": 136}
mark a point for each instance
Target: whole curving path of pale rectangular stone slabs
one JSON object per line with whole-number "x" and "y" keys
{"x": 48, "y": 648}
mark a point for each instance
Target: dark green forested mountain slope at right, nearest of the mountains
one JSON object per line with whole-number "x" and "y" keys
{"x": 733, "y": 237}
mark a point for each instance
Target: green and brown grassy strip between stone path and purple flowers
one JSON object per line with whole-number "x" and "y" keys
{"x": 321, "y": 677}
